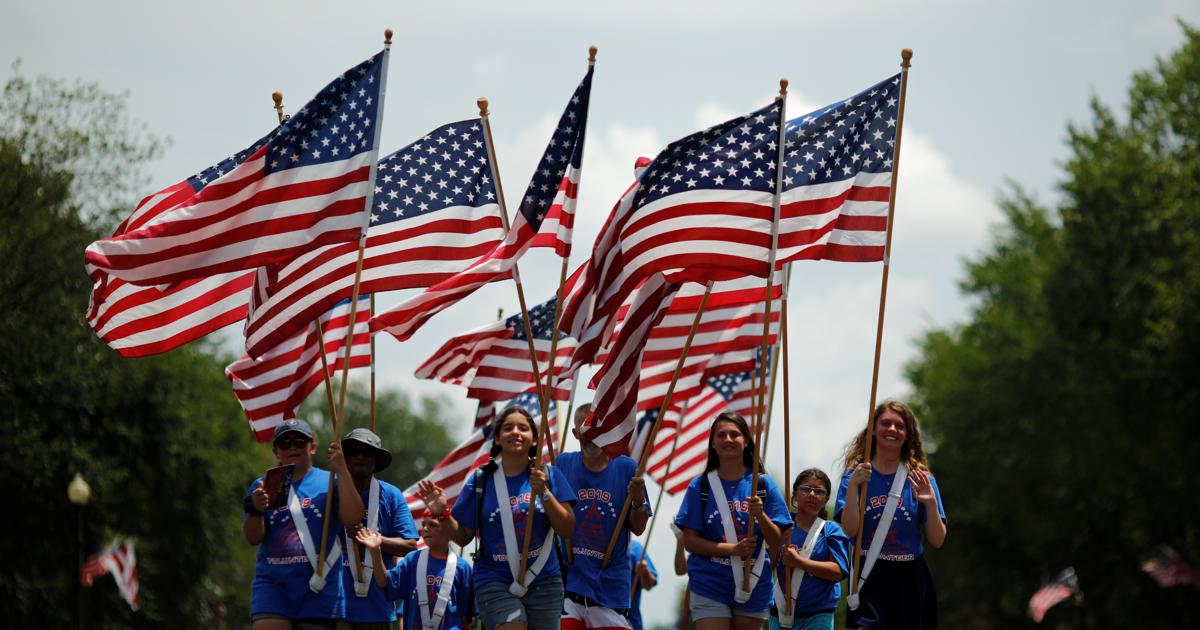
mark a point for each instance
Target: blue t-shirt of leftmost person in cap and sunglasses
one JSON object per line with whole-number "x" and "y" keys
{"x": 283, "y": 574}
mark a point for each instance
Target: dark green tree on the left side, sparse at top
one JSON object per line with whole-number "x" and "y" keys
{"x": 161, "y": 440}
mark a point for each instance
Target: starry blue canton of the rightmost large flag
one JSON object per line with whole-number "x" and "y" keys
{"x": 849, "y": 137}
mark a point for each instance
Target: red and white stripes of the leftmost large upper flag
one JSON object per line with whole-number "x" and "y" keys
{"x": 244, "y": 220}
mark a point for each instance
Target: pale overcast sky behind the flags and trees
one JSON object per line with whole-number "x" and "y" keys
{"x": 993, "y": 88}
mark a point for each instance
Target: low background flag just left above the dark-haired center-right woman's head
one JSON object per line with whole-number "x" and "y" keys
{"x": 733, "y": 392}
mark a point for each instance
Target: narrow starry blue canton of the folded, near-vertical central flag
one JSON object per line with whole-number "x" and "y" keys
{"x": 565, "y": 149}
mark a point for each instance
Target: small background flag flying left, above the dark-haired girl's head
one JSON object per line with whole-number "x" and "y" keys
{"x": 494, "y": 362}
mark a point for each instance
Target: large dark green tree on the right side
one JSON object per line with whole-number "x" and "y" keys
{"x": 1067, "y": 406}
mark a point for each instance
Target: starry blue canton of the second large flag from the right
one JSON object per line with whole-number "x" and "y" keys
{"x": 736, "y": 155}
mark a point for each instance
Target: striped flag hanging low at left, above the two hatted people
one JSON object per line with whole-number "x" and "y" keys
{"x": 273, "y": 387}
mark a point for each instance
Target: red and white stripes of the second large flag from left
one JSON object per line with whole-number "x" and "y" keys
{"x": 409, "y": 254}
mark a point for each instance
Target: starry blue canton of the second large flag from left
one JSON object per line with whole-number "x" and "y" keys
{"x": 448, "y": 167}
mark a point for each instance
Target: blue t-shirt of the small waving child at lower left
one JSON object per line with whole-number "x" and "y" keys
{"x": 403, "y": 589}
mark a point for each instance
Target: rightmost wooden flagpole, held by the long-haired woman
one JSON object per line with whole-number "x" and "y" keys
{"x": 905, "y": 63}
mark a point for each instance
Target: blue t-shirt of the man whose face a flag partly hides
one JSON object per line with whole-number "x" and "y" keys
{"x": 599, "y": 499}
